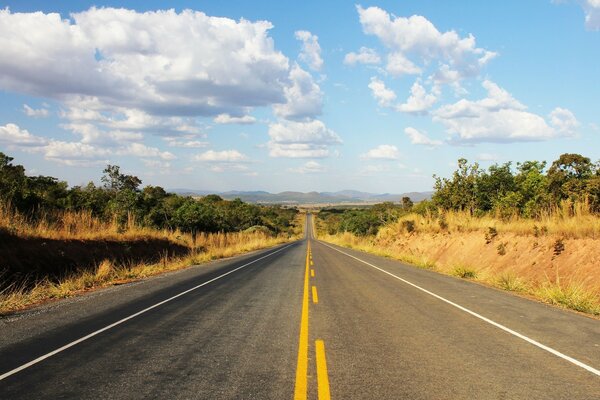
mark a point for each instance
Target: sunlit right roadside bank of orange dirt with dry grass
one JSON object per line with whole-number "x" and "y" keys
{"x": 558, "y": 264}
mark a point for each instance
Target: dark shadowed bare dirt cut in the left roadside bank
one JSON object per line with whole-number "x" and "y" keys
{"x": 25, "y": 261}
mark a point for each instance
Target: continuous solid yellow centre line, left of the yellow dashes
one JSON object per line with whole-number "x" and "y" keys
{"x": 300, "y": 389}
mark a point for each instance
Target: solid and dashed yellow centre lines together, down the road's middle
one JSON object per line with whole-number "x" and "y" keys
{"x": 301, "y": 388}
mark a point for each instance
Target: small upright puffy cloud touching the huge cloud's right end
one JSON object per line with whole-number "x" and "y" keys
{"x": 304, "y": 99}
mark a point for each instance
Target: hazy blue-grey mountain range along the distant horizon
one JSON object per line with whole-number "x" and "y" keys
{"x": 289, "y": 197}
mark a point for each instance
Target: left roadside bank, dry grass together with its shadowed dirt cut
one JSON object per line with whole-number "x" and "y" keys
{"x": 40, "y": 263}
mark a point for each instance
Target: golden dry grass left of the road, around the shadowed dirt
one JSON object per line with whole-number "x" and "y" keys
{"x": 82, "y": 226}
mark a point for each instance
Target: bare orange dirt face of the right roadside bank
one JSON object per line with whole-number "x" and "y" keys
{"x": 549, "y": 258}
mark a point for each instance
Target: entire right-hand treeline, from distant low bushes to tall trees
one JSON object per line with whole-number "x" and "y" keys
{"x": 528, "y": 190}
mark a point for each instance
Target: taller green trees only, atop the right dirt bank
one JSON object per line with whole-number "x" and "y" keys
{"x": 527, "y": 190}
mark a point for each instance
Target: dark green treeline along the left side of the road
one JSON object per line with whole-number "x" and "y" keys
{"x": 121, "y": 198}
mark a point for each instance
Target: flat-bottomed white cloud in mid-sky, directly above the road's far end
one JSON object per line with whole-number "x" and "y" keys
{"x": 290, "y": 139}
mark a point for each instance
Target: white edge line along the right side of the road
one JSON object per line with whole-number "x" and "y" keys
{"x": 481, "y": 317}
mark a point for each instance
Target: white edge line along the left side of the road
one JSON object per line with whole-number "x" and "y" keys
{"x": 119, "y": 322}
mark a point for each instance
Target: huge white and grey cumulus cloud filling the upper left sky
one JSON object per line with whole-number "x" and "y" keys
{"x": 161, "y": 62}
